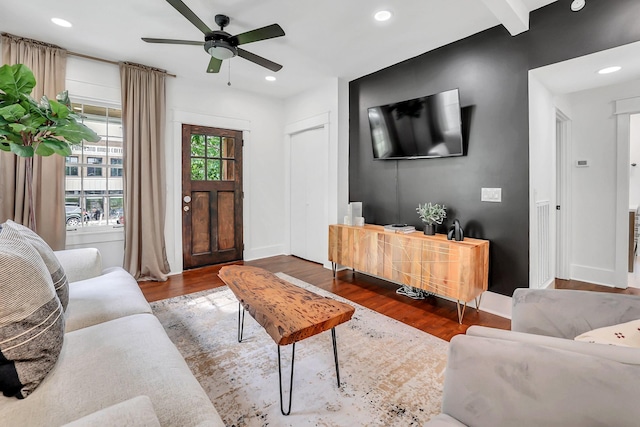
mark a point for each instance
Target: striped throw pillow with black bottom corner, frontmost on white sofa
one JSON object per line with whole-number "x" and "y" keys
{"x": 31, "y": 317}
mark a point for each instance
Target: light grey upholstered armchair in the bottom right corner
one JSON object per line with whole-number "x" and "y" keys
{"x": 536, "y": 374}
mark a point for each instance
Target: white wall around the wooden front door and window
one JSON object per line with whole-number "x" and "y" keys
{"x": 260, "y": 117}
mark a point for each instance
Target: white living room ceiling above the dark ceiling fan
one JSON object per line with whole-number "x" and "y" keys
{"x": 324, "y": 39}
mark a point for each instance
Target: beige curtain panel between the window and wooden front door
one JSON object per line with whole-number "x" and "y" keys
{"x": 143, "y": 120}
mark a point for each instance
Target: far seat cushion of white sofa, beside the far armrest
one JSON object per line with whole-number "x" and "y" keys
{"x": 110, "y": 296}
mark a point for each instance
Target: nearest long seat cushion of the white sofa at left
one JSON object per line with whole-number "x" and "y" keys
{"x": 105, "y": 364}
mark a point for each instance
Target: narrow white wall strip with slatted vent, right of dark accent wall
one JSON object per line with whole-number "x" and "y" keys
{"x": 542, "y": 169}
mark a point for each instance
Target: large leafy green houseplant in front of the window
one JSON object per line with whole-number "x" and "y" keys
{"x": 30, "y": 128}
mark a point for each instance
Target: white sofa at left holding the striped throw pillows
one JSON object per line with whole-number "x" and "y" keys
{"x": 117, "y": 366}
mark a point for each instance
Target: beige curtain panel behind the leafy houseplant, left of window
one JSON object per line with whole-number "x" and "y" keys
{"x": 49, "y": 64}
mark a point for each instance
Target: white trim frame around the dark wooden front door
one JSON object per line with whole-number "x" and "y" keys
{"x": 173, "y": 151}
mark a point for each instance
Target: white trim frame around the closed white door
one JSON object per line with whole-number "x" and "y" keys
{"x": 314, "y": 122}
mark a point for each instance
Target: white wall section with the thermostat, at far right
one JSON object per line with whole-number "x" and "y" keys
{"x": 593, "y": 189}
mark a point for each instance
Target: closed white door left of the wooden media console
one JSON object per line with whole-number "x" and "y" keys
{"x": 309, "y": 186}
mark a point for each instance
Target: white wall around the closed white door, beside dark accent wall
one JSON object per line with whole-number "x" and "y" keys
{"x": 329, "y": 98}
